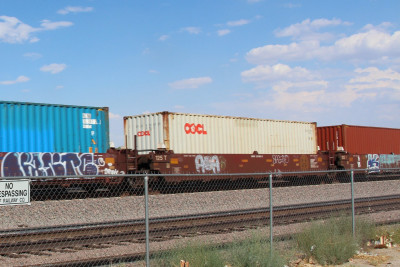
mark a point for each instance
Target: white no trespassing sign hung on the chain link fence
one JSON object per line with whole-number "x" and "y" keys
{"x": 15, "y": 192}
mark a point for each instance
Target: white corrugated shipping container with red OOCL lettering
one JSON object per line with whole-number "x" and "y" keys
{"x": 209, "y": 134}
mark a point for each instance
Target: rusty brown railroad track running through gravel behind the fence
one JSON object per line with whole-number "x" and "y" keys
{"x": 37, "y": 241}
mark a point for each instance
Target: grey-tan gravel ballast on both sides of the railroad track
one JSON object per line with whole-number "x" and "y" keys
{"x": 81, "y": 211}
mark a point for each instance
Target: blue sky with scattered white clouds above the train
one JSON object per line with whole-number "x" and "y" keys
{"x": 332, "y": 62}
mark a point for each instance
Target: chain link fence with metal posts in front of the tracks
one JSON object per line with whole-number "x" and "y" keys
{"x": 88, "y": 221}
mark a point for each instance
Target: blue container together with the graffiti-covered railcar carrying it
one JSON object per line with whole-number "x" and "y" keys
{"x": 42, "y": 140}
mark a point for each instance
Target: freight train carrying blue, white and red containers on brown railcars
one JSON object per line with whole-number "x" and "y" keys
{"x": 42, "y": 140}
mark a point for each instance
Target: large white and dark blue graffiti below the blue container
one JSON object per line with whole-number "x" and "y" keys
{"x": 53, "y": 164}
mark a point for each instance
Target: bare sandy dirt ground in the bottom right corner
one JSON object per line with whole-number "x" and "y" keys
{"x": 383, "y": 257}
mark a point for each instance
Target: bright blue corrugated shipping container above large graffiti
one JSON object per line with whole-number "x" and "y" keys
{"x": 36, "y": 127}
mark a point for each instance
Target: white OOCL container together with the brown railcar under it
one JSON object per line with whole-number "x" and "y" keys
{"x": 193, "y": 143}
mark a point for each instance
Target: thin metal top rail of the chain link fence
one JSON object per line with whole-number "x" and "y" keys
{"x": 266, "y": 174}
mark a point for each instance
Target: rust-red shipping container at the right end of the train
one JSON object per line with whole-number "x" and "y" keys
{"x": 359, "y": 139}
